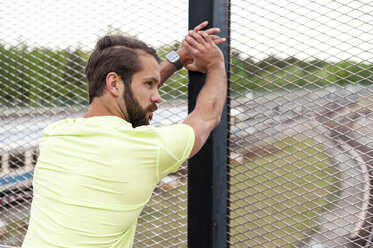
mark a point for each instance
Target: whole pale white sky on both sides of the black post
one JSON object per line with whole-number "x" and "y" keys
{"x": 307, "y": 29}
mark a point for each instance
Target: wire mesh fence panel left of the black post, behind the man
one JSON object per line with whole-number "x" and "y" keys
{"x": 44, "y": 47}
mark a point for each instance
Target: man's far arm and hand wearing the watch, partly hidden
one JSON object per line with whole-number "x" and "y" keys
{"x": 167, "y": 68}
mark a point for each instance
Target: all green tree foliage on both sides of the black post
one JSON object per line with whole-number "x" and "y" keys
{"x": 42, "y": 76}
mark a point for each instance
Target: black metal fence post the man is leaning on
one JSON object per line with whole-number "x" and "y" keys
{"x": 207, "y": 173}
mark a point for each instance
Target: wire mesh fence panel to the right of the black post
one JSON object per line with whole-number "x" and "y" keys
{"x": 301, "y": 123}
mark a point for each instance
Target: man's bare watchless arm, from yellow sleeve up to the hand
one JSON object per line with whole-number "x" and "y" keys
{"x": 207, "y": 58}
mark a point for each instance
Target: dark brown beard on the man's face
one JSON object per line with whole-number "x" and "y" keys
{"x": 136, "y": 113}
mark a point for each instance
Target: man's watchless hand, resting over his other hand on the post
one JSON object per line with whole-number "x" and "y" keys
{"x": 205, "y": 53}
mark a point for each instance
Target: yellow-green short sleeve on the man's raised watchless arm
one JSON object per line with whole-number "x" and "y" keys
{"x": 175, "y": 143}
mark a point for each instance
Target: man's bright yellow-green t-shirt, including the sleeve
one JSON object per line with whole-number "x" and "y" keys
{"x": 94, "y": 176}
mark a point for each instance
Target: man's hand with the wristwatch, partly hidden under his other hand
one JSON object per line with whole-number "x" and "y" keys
{"x": 185, "y": 55}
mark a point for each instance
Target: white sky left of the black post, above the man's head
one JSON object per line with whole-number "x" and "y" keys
{"x": 70, "y": 23}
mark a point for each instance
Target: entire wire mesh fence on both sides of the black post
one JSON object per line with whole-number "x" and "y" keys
{"x": 301, "y": 103}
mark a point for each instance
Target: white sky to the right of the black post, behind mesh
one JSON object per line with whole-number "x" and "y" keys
{"x": 326, "y": 29}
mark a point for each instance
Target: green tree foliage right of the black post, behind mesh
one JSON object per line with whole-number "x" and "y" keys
{"x": 291, "y": 73}
